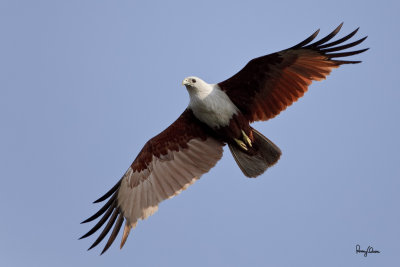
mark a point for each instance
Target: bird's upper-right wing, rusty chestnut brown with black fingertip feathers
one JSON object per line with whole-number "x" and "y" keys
{"x": 269, "y": 84}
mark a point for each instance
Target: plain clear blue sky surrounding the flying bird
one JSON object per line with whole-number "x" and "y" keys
{"x": 84, "y": 84}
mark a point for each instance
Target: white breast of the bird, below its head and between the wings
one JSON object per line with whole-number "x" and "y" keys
{"x": 212, "y": 106}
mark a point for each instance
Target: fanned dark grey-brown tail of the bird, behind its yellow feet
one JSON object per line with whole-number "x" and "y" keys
{"x": 254, "y": 164}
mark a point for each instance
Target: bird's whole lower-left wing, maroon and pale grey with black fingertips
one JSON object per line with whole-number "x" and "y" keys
{"x": 167, "y": 164}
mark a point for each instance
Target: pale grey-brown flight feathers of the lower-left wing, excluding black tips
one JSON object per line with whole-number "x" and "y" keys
{"x": 165, "y": 178}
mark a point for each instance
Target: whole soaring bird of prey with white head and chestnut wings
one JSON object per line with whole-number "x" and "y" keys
{"x": 218, "y": 114}
